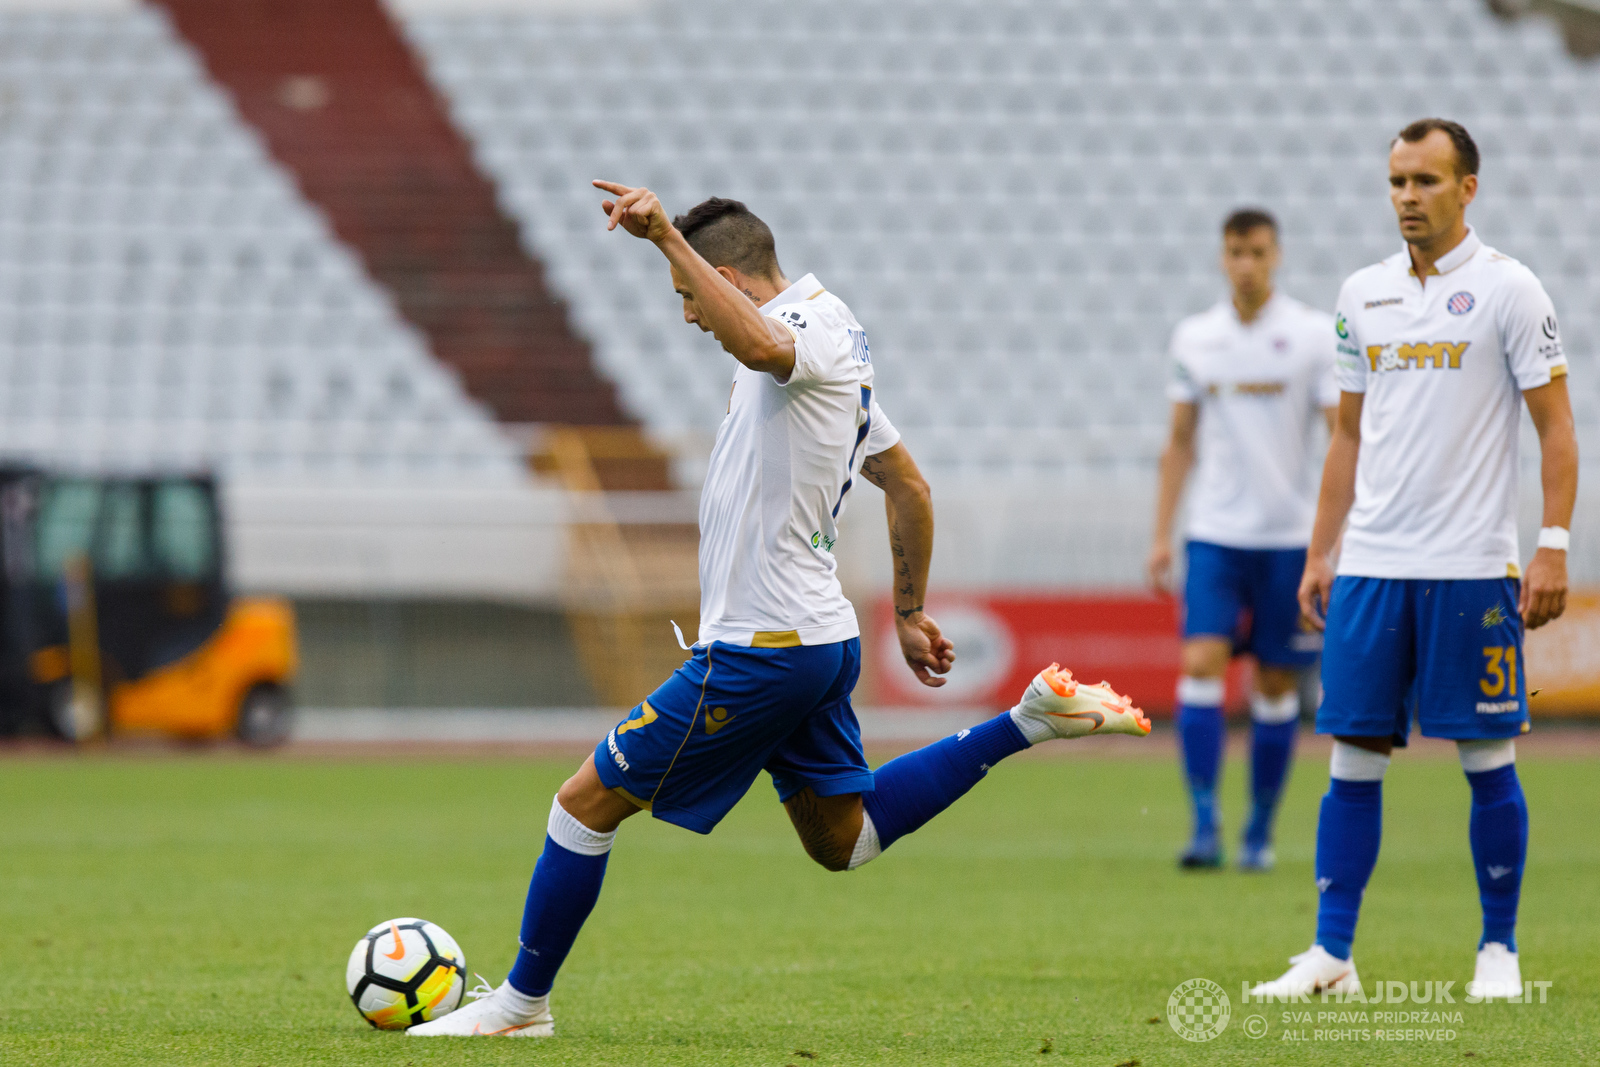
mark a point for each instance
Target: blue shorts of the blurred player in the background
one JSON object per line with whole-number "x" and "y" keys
{"x": 1252, "y": 599}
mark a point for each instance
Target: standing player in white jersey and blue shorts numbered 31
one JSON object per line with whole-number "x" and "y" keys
{"x": 1426, "y": 617}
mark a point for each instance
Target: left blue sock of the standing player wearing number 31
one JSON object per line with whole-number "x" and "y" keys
{"x": 1348, "y": 836}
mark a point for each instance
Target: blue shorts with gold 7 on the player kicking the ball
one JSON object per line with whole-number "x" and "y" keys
{"x": 694, "y": 748}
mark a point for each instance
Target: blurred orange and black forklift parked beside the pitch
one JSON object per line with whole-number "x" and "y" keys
{"x": 118, "y": 618}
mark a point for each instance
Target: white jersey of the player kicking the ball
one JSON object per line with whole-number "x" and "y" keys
{"x": 780, "y": 476}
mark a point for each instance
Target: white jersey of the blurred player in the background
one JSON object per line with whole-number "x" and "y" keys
{"x": 1260, "y": 388}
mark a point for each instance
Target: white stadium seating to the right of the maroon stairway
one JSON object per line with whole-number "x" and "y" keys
{"x": 1018, "y": 199}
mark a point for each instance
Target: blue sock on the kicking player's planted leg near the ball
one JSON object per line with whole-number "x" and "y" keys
{"x": 564, "y": 890}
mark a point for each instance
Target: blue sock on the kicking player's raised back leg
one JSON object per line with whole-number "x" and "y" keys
{"x": 921, "y": 785}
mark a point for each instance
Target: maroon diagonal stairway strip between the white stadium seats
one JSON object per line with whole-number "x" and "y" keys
{"x": 345, "y": 105}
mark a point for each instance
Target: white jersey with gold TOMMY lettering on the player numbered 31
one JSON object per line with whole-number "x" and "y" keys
{"x": 1444, "y": 369}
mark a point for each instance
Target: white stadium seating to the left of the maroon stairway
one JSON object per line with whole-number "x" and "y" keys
{"x": 167, "y": 298}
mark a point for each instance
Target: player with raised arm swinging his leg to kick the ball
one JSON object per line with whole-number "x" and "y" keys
{"x": 770, "y": 677}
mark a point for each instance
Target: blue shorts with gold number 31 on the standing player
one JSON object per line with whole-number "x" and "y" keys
{"x": 1447, "y": 653}
